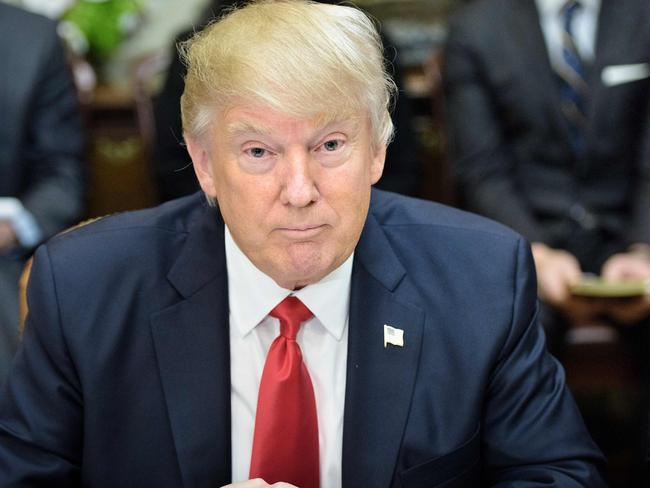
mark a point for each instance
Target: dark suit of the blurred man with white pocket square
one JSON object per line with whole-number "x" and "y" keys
{"x": 512, "y": 146}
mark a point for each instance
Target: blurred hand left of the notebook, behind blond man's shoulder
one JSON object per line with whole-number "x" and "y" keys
{"x": 557, "y": 270}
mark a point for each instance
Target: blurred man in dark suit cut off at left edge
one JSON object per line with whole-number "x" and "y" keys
{"x": 41, "y": 144}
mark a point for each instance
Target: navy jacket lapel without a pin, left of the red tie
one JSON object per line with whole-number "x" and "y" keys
{"x": 191, "y": 341}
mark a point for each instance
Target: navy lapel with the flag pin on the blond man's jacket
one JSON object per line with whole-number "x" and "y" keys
{"x": 379, "y": 380}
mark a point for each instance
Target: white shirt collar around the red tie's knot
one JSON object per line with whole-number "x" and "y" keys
{"x": 252, "y": 294}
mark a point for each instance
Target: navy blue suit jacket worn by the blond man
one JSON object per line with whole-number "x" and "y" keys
{"x": 123, "y": 375}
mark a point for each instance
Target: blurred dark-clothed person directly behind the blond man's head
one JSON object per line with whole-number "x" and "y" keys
{"x": 172, "y": 168}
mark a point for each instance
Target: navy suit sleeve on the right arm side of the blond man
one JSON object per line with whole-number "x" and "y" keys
{"x": 533, "y": 433}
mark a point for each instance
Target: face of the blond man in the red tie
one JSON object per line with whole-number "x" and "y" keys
{"x": 293, "y": 192}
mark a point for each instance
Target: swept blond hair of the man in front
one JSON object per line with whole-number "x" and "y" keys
{"x": 300, "y": 57}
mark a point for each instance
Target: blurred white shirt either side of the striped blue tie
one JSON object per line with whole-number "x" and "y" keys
{"x": 584, "y": 27}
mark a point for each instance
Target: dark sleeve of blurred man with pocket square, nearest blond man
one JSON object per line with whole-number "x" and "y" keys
{"x": 481, "y": 159}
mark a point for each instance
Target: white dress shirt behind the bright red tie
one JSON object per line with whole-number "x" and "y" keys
{"x": 323, "y": 341}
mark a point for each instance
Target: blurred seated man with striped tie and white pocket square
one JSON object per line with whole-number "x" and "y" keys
{"x": 548, "y": 106}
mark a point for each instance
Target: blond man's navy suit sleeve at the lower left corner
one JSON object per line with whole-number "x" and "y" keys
{"x": 41, "y": 401}
